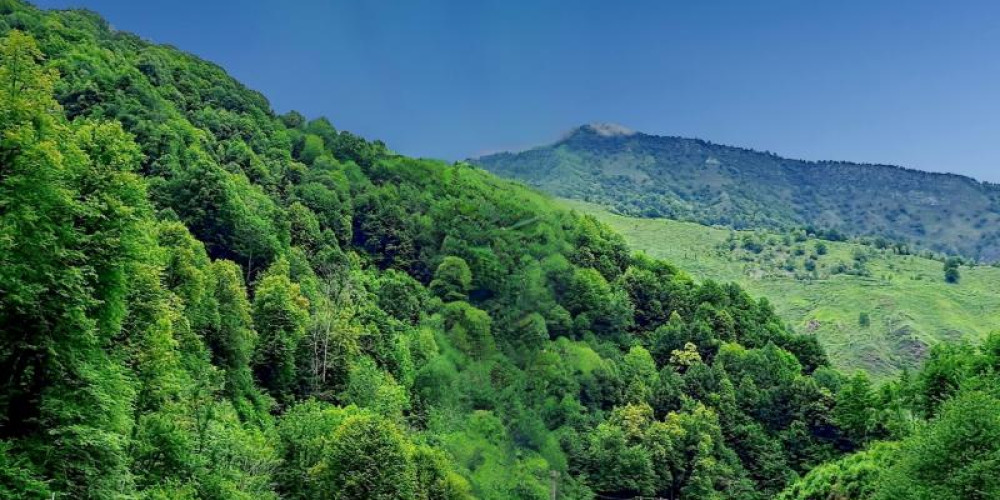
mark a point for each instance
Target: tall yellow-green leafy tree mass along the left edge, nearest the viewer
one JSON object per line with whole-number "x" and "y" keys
{"x": 71, "y": 231}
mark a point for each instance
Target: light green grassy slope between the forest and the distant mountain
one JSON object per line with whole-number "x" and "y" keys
{"x": 909, "y": 304}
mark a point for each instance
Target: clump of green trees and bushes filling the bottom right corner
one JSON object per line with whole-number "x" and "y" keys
{"x": 951, "y": 454}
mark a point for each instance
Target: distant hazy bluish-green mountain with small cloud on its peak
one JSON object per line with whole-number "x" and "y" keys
{"x": 695, "y": 180}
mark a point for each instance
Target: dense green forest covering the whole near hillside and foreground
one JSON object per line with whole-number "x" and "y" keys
{"x": 201, "y": 299}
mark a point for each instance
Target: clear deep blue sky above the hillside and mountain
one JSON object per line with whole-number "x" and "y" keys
{"x": 913, "y": 83}
